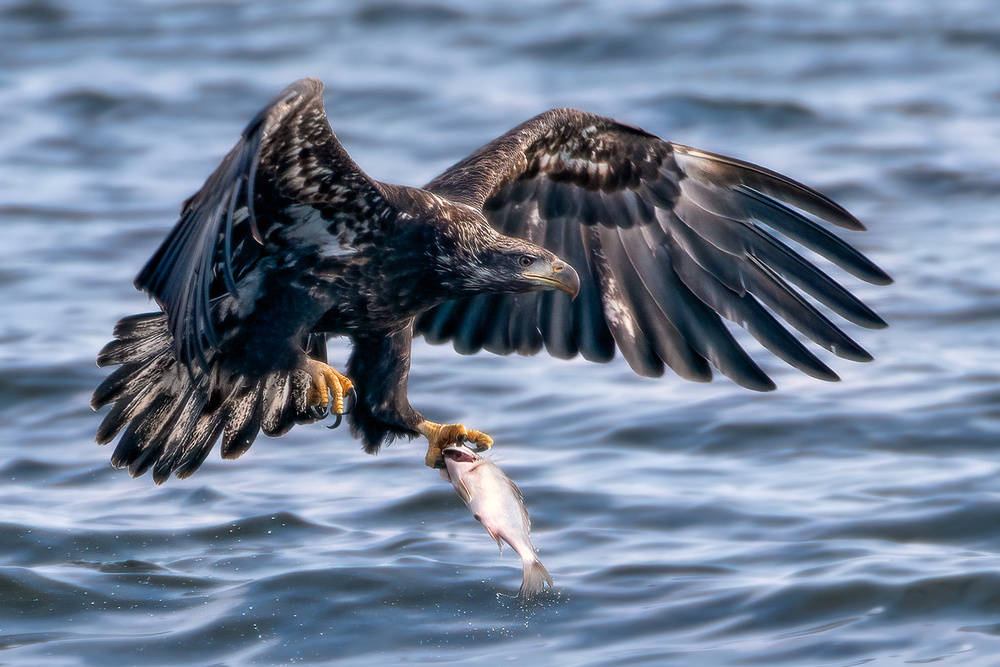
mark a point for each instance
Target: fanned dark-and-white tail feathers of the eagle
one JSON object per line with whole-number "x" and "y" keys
{"x": 173, "y": 416}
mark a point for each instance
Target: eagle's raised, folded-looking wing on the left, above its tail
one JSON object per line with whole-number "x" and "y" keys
{"x": 287, "y": 171}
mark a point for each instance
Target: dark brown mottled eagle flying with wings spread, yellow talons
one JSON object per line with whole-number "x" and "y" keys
{"x": 572, "y": 232}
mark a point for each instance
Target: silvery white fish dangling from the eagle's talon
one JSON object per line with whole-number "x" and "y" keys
{"x": 497, "y": 503}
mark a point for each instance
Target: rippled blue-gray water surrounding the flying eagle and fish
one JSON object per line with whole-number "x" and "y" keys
{"x": 684, "y": 524}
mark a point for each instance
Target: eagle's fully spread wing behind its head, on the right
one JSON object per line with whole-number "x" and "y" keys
{"x": 668, "y": 240}
